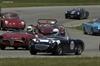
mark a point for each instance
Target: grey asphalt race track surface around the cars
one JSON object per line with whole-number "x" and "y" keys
{"x": 31, "y": 14}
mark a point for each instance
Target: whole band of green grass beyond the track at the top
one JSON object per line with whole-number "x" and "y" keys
{"x": 30, "y": 3}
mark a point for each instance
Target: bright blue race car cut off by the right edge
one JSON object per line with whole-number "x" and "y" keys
{"x": 92, "y": 27}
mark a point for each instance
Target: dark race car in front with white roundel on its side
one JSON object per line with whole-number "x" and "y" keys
{"x": 56, "y": 45}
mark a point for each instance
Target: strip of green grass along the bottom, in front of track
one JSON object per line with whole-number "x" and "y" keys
{"x": 50, "y": 62}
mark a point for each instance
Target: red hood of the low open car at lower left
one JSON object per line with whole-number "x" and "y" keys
{"x": 16, "y": 35}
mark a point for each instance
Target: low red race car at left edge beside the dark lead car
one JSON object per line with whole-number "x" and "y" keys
{"x": 16, "y": 39}
